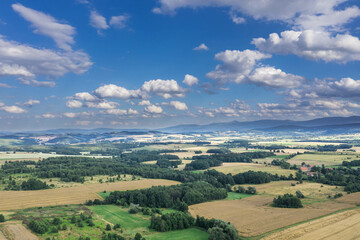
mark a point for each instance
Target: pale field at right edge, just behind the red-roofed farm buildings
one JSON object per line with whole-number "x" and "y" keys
{"x": 323, "y": 158}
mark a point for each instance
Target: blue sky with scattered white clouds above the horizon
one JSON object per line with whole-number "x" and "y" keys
{"x": 156, "y": 63}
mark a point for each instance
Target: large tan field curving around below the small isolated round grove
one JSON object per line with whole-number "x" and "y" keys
{"x": 253, "y": 216}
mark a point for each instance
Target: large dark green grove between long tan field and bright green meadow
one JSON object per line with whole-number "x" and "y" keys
{"x": 176, "y": 197}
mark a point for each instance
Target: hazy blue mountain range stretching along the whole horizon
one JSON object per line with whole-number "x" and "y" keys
{"x": 321, "y": 126}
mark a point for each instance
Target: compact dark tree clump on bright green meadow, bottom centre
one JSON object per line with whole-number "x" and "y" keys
{"x": 172, "y": 221}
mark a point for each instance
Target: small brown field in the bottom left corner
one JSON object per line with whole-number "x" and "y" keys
{"x": 15, "y": 231}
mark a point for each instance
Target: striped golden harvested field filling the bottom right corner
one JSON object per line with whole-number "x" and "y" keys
{"x": 343, "y": 225}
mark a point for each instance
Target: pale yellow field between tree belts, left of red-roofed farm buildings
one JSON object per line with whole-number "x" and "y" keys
{"x": 235, "y": 168}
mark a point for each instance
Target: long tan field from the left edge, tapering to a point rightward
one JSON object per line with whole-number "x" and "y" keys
{"x": 74, "y": 195}
